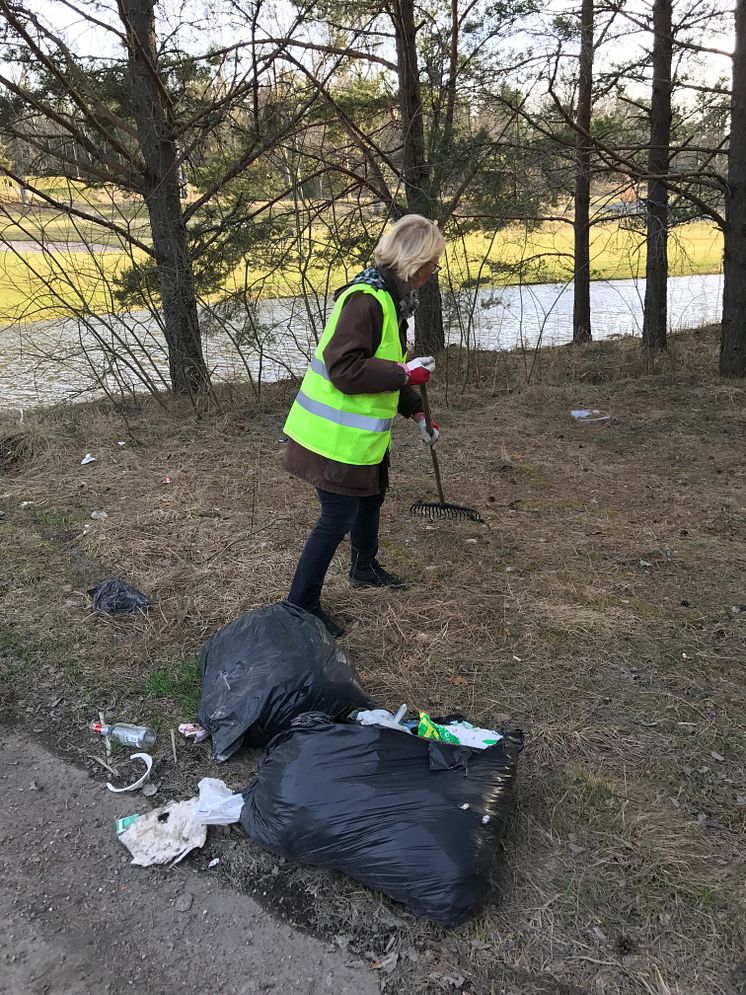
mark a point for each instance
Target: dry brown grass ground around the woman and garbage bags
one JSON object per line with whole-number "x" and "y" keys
{"x": 601, "y": 609}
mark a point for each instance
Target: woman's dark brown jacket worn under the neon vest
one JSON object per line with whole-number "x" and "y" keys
{"x": 350, "y": 361}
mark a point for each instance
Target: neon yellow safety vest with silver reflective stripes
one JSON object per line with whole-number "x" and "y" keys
{"x": 348, "y": 428}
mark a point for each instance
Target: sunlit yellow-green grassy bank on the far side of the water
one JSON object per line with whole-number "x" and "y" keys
{"x": 35, "y": 285}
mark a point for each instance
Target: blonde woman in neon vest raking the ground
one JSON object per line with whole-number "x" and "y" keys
{"x": 339, "y": 427}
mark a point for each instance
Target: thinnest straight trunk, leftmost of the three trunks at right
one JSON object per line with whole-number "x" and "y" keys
{"x": 581, "y": 315}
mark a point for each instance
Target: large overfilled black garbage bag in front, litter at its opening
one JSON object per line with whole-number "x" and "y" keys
{"x": 418, "y": 820}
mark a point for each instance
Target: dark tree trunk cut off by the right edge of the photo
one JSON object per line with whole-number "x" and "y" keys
{"x": 733, "y": 335}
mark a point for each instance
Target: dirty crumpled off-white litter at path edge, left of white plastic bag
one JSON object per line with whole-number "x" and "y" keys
{"x": 165, "y": 835}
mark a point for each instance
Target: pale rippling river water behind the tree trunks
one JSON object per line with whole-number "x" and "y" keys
{"x": 48, "y": 362}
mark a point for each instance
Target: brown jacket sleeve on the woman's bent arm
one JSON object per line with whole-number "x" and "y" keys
{"x": 350, "y": 353}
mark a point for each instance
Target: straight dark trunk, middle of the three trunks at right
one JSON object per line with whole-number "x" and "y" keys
{"x": 655, "y": 319}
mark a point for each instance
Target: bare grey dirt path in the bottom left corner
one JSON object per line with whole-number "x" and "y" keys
{"x": 77, "y": 918}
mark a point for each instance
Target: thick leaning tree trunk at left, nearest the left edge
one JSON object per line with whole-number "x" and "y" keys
{"x": 187, "y": 366}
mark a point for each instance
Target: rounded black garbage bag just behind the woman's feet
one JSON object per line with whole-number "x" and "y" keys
{"x": 267, "y": 667}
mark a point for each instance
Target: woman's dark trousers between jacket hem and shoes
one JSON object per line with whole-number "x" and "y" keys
{"x": 340, "y": 514}
